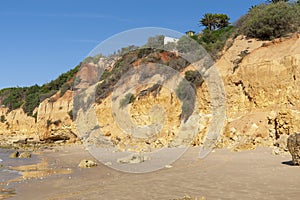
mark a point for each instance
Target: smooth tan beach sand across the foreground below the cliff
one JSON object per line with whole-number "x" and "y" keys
{"x": 255, "y": 174}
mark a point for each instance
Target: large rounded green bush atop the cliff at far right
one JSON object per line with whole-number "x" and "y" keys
{"x": 269, "y": 21}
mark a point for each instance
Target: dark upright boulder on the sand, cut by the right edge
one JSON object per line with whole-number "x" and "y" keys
{"x": 293, "y": 144}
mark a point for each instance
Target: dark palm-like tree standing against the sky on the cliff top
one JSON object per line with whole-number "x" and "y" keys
{"x": 214, "y": 21}
